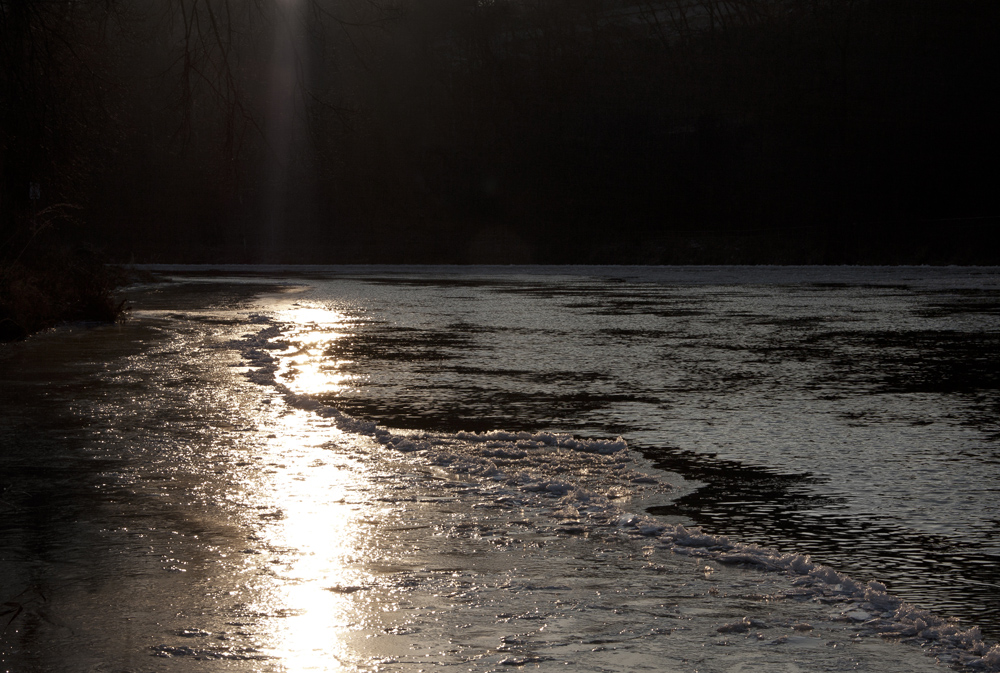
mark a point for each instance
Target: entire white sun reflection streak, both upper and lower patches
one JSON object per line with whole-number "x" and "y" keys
{"x": 312, "y": 512}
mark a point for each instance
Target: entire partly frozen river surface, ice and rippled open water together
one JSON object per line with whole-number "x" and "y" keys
{"x": 484, "y": 468}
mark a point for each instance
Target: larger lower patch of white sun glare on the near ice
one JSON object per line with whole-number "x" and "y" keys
{"x": 318, "y": 542}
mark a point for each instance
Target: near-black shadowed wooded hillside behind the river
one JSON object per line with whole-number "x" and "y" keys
{"x": 591, "y": 131}
